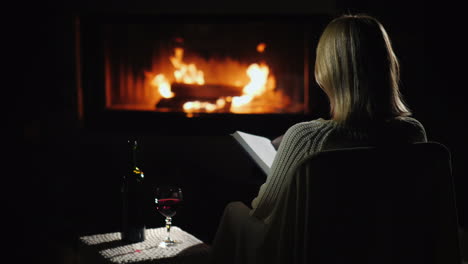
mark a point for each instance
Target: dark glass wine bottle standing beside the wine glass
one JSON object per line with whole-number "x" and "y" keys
{"x": 133, "y": 224}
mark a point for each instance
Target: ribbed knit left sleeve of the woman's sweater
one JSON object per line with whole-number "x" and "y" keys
{"x": 295, "y": 145}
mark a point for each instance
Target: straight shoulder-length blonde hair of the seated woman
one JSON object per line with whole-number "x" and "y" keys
{"x": 358, "y": 70}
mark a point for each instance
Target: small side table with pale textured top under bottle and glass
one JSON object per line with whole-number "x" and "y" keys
{"x": 109, "y": 248}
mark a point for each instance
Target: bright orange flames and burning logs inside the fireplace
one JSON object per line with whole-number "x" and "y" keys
{"x": 222, "y": 86}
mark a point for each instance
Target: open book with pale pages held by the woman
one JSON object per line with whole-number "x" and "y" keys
{"x": 259, "y": 148}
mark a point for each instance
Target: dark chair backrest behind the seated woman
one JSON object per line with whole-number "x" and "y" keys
{"x": 392, "y": 204}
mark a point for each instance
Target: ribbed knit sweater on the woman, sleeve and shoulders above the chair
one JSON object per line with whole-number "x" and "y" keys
{"x": 306, "y": 138}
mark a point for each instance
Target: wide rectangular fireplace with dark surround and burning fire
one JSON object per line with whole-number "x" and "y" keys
{"x": 180, "y": 67}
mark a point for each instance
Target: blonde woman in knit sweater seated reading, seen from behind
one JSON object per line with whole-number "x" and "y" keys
{"x": 358, "y": 70}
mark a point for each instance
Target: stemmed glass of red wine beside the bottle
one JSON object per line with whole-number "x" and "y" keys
{"x": 167, "y": 200}
